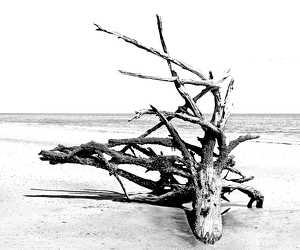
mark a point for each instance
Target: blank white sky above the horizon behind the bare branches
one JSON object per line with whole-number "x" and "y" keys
{"x": 53, "y": 61}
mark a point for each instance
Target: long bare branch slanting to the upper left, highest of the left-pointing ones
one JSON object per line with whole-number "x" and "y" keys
{"x": 153, "y": 51}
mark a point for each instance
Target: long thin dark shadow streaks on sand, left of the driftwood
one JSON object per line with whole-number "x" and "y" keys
{"x": 77, "y": 194}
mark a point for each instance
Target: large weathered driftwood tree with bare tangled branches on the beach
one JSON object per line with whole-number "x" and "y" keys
{"x": 204, "y": 186}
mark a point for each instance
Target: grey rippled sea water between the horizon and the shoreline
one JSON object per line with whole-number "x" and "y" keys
{"x": 272, "y": 128}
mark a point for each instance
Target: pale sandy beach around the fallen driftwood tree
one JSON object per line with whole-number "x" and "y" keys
{"x": 72, "y": 206}
